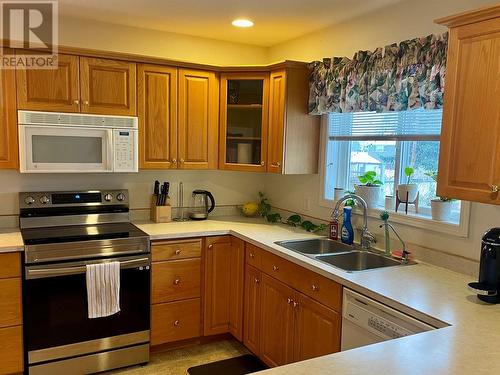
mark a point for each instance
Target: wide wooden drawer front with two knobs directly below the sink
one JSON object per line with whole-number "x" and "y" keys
{"x": 320, "y": 288}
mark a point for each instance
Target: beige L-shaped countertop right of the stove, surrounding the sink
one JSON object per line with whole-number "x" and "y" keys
{"x": 431, "y": 294}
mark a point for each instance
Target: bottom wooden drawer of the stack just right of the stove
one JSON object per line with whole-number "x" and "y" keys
{"x": 175, "y": 321}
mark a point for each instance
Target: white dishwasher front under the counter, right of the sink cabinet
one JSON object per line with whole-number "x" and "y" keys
{"x": 366, "y": 321}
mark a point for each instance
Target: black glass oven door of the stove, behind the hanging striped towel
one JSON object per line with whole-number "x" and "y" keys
{"x": 56, "y": 323}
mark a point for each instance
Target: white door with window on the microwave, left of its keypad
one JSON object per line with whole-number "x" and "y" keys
{"x": 49, "y": 149}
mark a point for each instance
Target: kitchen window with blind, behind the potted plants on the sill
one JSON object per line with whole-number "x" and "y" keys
{"x": 386, "y": 143}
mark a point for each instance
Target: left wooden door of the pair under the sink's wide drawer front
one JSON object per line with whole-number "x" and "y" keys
{"x": 276, "y": 322}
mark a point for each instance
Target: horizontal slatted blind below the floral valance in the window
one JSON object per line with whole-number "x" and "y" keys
{"x": 417, "y": 124}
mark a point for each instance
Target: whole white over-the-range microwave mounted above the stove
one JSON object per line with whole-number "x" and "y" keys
{"x": 51, "y": 142}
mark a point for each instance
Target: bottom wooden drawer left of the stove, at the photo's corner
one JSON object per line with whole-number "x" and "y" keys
{"x": 11, "y": 350}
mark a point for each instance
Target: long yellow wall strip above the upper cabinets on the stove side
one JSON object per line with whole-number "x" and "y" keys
{"x": 118, "y": 38}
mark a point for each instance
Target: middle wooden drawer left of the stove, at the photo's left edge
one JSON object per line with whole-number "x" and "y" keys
{"x": 10, "y": 302}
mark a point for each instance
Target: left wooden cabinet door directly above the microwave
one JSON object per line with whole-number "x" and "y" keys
{"x": 50, "y": 89}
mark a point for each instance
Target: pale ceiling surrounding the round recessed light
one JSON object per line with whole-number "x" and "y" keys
{"x": 276, "y": 21}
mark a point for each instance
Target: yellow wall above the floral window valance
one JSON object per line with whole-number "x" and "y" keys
{"x": 405, "y": 20}
